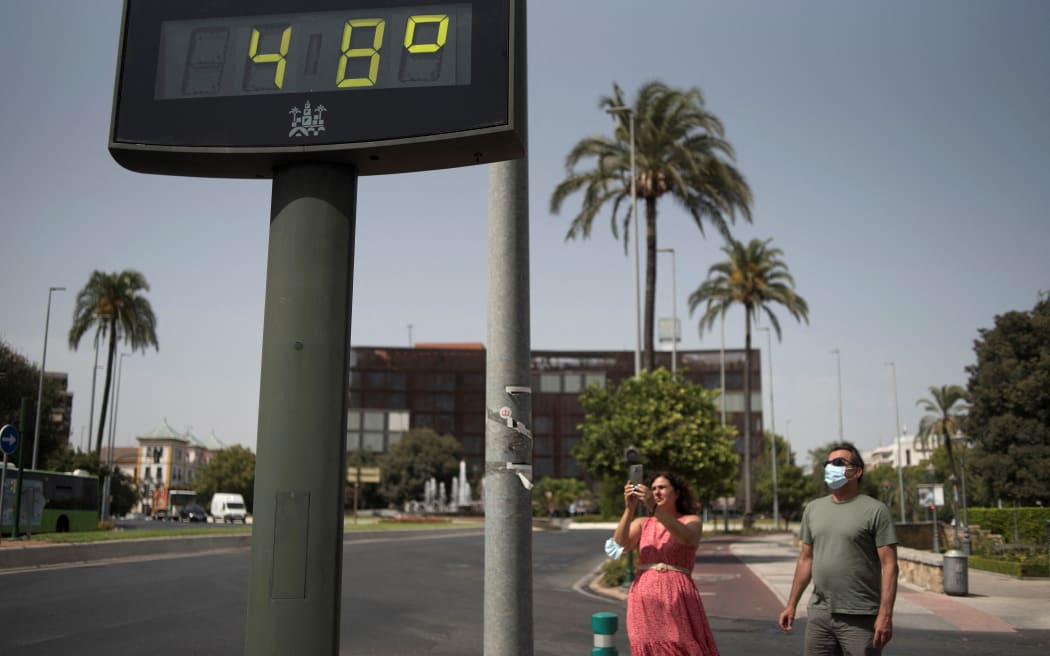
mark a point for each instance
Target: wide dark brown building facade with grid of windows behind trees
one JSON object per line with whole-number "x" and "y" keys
{"x": 443, "y": 387}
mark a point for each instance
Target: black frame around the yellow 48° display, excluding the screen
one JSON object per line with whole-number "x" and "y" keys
{"x": 377, "y": 131}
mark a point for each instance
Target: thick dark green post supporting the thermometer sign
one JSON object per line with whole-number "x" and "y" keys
{"x": 295, "y": 588}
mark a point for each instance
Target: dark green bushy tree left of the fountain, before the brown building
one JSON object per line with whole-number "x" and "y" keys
{"x": 421, "y": 455}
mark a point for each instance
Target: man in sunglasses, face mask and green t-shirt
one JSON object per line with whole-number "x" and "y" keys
{"x": 850, "y": 553}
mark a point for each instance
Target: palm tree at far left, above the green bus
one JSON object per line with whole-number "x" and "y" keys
{"x": 114, "y": 305}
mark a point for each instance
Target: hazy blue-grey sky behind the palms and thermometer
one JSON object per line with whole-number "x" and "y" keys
{"x": 898, "y": 154}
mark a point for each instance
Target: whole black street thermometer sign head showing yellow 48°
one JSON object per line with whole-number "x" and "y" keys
{"x": 234, "y": 89}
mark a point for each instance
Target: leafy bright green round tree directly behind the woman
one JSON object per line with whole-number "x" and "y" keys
{"x": 673, "y": 422}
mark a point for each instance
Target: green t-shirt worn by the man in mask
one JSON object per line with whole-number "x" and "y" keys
{"x": 846, "y": 538}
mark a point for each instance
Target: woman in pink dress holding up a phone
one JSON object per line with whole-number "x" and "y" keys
{"x": 665, "y": 616}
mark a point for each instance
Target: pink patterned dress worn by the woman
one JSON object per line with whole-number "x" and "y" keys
{"x": 665, "y": 616}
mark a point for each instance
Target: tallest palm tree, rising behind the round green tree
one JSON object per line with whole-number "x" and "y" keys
{"x": 681, "y": 152}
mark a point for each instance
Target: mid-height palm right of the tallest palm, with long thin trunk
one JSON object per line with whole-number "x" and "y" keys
{"x": 754, "y": 277}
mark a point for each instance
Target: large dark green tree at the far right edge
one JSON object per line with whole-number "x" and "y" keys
{"x": 1010, "y": 416}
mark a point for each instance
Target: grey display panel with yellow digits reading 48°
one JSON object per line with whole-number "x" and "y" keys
{"x": 323, "y": 51}
